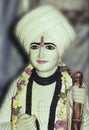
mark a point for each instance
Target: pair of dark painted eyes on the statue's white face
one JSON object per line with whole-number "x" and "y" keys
{"x": 47, "y": 46}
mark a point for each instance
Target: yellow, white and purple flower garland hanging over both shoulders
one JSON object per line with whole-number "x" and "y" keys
{"x": 62, "y": 115}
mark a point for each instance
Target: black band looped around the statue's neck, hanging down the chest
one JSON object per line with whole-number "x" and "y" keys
{"x": 45, "y": 81}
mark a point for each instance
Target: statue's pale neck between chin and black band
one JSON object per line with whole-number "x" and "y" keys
{"x": 45, "y": 74}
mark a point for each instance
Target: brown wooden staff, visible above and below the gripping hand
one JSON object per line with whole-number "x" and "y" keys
{"x": 77, "y": 107}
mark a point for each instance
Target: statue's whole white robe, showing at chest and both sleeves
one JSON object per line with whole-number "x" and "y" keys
{"x": 40, "y": 106}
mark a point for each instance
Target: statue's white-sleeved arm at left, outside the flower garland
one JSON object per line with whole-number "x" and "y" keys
{"x": 5, "y": 110}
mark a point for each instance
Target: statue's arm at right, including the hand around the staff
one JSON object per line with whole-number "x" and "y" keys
{"x": 81, "y": 96}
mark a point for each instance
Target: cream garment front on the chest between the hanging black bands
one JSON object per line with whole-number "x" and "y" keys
{"x": 41, "y": 101}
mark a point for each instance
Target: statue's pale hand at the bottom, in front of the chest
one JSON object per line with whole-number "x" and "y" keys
{"x": 26, "y": 122}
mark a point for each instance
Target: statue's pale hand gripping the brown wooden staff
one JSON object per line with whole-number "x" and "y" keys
{"x": 79, "y": 94}
